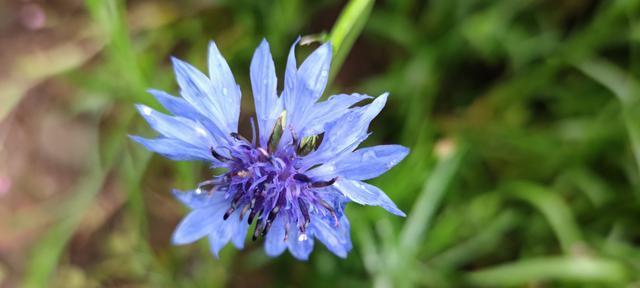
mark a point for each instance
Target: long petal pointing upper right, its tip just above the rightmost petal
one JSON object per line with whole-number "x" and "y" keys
{"x": 345, "y": 134}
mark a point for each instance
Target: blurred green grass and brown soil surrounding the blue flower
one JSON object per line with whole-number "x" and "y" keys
{"x": 523, "y": 119}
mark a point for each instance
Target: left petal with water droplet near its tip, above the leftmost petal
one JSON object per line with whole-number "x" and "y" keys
{"x": 176, "y": 127}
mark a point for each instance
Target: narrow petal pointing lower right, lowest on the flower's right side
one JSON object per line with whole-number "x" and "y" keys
{"x": 366, "y": 194}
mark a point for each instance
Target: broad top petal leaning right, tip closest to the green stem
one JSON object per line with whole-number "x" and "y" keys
{"x": 311, "y": 79}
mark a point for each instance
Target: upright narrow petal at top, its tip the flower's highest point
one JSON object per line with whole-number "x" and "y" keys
{"x": 264, "y": 84}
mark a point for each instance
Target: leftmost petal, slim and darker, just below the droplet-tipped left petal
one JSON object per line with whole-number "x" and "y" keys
{"x": 176, "y": 149}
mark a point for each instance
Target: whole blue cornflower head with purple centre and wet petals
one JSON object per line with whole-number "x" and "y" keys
{"x": 292, "y": 187}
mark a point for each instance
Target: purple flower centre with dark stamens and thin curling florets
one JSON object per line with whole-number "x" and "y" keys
{"x": 263, "y": 185}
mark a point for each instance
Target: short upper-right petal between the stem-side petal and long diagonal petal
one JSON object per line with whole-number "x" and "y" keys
{"x": 327, "y": 111}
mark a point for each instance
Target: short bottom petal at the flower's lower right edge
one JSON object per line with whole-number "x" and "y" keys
{"x": 336, "y": 238}
